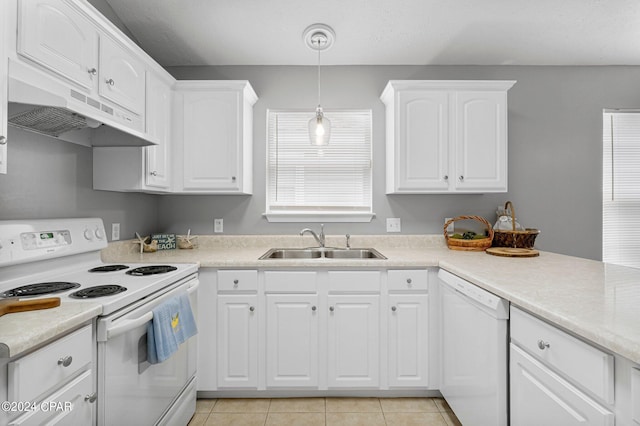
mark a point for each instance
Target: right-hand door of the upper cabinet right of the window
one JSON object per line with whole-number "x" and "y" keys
{"x": 480, "y": 141}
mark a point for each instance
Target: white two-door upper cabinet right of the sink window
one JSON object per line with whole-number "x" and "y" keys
{"x": 446, "y": 136}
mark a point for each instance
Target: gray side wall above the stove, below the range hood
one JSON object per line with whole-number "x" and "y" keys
{"x": 48, "y": 178}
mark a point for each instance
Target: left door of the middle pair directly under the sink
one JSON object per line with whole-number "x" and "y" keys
{"x": 292, "y": 340}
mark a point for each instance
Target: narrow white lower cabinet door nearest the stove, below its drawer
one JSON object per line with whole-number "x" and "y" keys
{"x": 237, "y": 341}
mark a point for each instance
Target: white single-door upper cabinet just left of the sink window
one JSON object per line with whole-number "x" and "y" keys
{"x": 213, "y": 129}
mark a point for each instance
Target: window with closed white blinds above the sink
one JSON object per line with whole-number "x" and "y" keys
{"x": 307, "y": 182}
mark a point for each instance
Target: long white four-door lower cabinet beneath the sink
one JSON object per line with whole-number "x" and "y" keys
{"x": 313, "y": 330}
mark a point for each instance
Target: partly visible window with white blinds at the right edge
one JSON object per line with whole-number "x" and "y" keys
{"x": 621, "y": 188}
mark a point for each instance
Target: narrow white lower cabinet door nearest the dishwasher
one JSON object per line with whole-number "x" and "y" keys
{"x": 408, "y": 331}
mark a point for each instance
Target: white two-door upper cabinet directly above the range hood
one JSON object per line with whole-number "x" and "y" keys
{"x": 60, "y": 36}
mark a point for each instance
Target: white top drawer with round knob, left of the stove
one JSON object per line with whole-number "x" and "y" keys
{"x": 45, "y": 368}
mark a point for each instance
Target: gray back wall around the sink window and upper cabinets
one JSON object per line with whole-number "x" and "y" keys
{"x": 555, "y": 134}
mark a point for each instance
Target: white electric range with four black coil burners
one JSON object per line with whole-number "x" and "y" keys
{"x": 61, "y": 258}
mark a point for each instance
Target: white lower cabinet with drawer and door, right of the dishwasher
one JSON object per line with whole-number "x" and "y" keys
{"x": 555, "y": 378}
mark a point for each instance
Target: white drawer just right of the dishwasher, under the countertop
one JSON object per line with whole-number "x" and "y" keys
{"x": 577, "y": 360}
